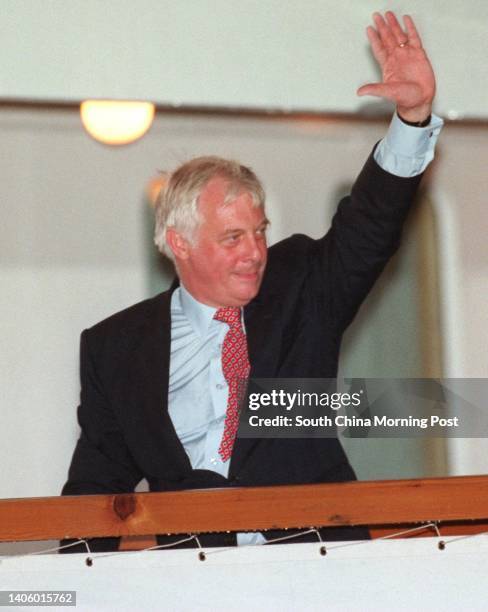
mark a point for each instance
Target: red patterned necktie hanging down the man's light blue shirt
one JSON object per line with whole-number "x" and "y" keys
{"x": 235, "y": 366}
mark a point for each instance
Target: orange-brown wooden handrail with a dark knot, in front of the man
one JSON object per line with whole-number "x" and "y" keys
{"x": 389, "y": 502}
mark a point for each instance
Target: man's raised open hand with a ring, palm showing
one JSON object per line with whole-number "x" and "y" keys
{"x": 408, "y": 78}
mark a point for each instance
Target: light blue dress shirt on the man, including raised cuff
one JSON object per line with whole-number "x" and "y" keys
{"x": 197, "y": 400}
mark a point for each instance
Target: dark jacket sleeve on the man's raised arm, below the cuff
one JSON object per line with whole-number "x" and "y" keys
{"x": 365, "y": 233}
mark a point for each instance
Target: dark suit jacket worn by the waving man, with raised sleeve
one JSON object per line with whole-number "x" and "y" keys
{"x": 310, "y": 292}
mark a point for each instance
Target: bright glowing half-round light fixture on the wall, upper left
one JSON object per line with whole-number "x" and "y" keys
{"x": 116, "y": 122}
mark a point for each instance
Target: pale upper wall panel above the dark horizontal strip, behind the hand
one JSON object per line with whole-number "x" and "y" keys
{"x": 260, "y": 53}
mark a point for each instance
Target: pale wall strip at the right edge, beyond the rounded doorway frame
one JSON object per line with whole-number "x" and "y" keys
{"x": 459, "y": 191}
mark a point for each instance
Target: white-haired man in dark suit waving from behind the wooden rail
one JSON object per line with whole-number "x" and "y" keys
{"x": 158, "y": 397}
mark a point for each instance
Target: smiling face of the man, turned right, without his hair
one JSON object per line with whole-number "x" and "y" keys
{"x": 225, "y": 266}
